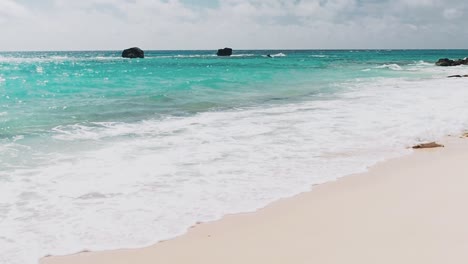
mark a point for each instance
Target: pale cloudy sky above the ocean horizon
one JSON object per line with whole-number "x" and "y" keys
{"x": 240, "y": 24}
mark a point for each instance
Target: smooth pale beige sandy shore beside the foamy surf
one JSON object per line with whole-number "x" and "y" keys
{"x": 407, "y": 210}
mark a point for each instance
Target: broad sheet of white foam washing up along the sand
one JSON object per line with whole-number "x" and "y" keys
{"x": 134, "y": 184}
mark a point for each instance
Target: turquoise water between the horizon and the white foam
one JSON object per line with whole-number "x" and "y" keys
{"x": 41, "y": 90}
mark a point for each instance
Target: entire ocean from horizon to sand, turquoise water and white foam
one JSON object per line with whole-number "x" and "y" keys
{"x": 100, "y": 152}
